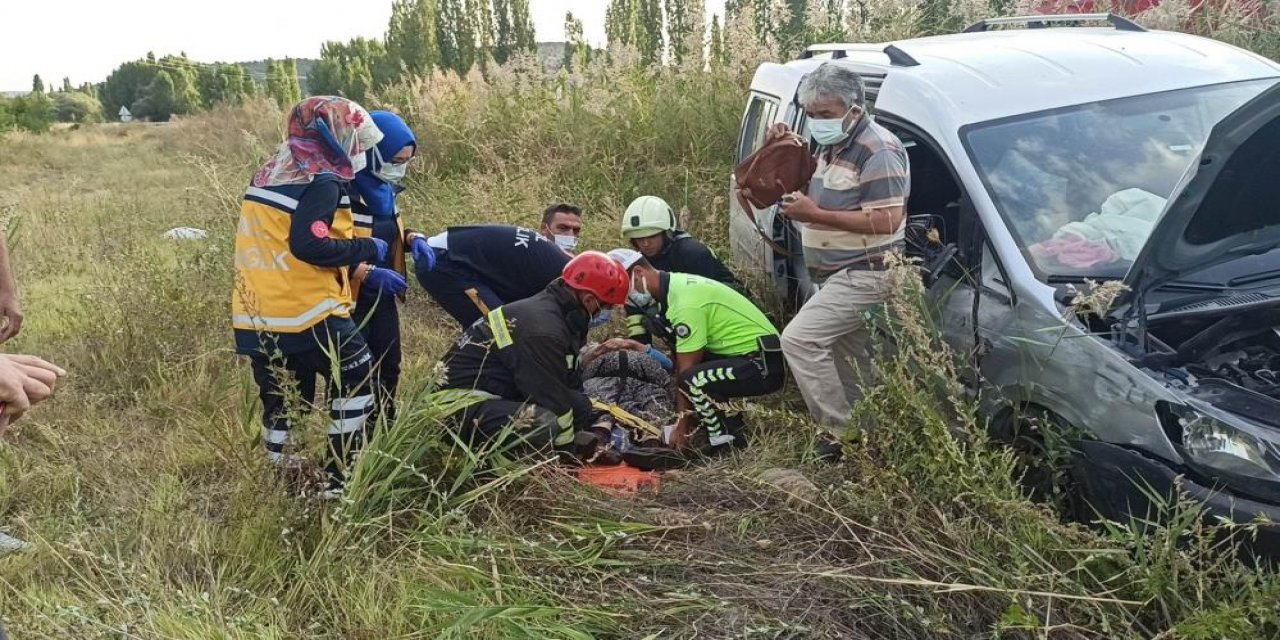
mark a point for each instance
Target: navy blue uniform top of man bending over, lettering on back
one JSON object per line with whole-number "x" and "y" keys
{"x": 482, "y": 268}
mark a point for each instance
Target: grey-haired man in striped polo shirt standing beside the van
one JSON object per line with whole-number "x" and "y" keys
{"x": 852, "y": 217}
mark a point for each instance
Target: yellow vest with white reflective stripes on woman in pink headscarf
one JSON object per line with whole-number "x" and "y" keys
{"x": 275, "y": 291}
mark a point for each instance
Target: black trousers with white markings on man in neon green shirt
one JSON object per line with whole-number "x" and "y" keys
{"x": 720, "y": 378}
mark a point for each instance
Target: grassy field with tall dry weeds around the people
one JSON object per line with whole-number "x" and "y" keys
{"x": 156, "y": 518}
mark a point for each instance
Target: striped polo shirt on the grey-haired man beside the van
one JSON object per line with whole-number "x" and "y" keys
{"x": 868, "y": 171}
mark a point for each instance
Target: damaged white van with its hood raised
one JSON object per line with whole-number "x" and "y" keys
{"x": 1044, "y": 154}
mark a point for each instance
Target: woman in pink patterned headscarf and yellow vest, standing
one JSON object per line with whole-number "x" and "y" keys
{"x": 299, "y": 254}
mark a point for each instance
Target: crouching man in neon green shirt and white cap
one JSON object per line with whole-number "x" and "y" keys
{"x": 725, "y": 349}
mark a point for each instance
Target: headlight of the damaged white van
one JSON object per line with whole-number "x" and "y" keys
{"x": 1244, "y": 456}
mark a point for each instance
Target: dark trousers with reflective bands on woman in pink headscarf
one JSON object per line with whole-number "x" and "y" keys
{"x": 287, "y": 386}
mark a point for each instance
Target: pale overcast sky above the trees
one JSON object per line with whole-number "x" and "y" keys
{"x": 86, "y": 39}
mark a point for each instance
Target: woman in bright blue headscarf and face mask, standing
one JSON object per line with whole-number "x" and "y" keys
{"x": 374, "y": 203}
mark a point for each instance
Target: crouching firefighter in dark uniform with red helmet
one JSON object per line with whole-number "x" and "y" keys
{"x": 522, "y": 359}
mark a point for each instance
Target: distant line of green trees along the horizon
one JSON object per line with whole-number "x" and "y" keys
{"x": 426, "y": 36}
